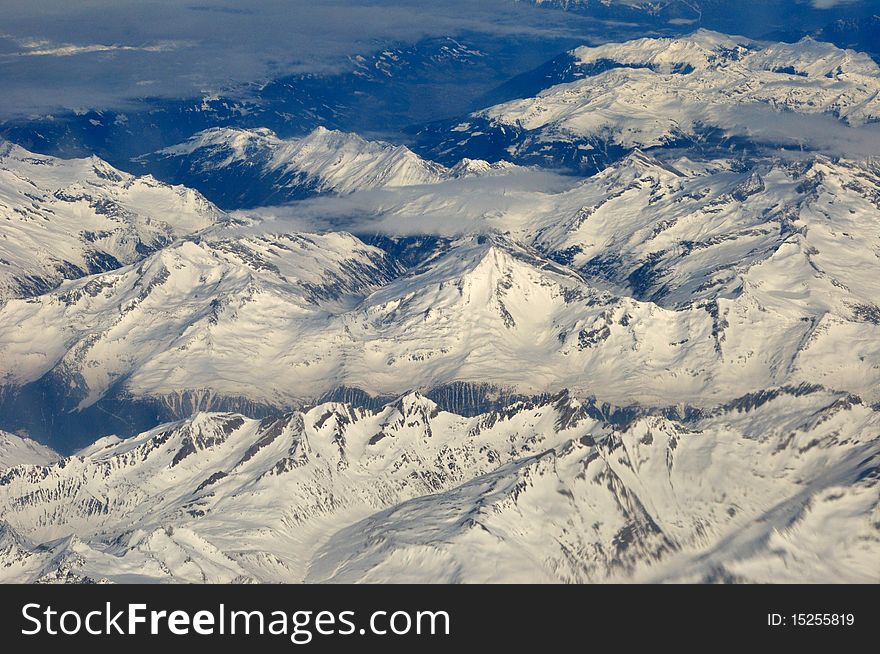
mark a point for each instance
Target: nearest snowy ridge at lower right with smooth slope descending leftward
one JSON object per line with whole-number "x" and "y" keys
{"x": 652, "y": 501}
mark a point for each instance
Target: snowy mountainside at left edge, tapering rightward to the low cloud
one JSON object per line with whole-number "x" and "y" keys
{"x": 65, "y": 219}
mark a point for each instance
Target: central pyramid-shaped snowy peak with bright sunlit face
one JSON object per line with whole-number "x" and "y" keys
{"x": 491, "y": 309}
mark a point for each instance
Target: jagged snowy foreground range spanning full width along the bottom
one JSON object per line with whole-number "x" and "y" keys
{"x": 761, "y": 490}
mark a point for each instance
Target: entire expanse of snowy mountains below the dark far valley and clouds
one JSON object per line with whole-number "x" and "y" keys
{"x": 623, "y": 329}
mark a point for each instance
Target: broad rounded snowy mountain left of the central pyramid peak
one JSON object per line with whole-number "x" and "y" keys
{"x": 180, "y": 323}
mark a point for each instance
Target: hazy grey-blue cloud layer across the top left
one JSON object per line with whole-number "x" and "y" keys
{"x": 97, "y": 53}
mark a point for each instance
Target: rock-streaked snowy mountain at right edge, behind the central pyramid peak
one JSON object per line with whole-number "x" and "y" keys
{"x": 681, "y": 232}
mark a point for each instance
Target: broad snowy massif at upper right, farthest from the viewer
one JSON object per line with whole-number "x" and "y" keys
{"x": 702, "y": 89}
